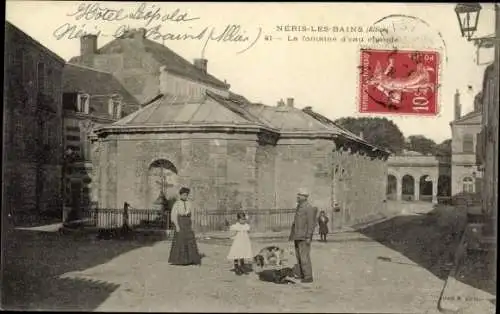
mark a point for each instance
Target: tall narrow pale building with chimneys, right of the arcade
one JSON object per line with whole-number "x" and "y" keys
{"x": 466, "y": 178}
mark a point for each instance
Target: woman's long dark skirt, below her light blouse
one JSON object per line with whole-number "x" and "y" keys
{"x": 184, "y": 250}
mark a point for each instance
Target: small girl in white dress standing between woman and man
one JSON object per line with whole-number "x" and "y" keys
{"x": 241, "y": 248}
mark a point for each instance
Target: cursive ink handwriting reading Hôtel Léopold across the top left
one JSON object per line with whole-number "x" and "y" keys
{"x": 154, "y": 18}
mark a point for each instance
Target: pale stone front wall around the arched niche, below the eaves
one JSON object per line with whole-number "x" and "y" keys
{"x": 219, "y": 169}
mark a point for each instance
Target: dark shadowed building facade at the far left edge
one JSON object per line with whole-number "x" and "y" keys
{"x": 33, "y": 120}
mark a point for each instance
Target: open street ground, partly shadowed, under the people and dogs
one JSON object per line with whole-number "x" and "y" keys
{"x": 382, "y": 270}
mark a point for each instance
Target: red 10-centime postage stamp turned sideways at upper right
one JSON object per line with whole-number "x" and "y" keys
{"x": 401, "y": 82}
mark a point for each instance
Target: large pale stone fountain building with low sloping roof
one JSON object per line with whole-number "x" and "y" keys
{"x": 234, "y": 155}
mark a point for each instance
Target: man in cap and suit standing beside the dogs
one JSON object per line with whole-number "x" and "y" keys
{"x": 301, "y": 233}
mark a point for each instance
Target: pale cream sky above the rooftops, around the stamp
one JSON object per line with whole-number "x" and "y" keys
{"x": 323, "y": 75}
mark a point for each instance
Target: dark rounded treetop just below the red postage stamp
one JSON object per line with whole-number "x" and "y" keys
{"x": 378, "y": 131}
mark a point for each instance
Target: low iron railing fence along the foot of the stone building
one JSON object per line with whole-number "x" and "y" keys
{"x": 203, "y": 220}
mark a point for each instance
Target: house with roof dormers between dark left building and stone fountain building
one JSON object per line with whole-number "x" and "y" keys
{"x": 91, "y": 98}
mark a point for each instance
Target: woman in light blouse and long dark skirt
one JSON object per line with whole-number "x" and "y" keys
{"x": 184, "y": 250}
